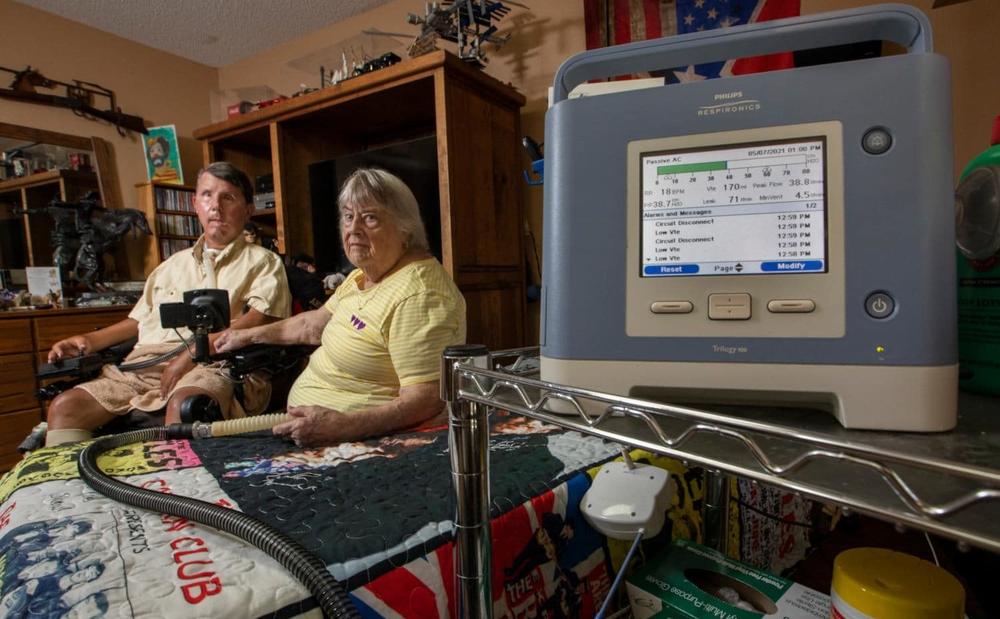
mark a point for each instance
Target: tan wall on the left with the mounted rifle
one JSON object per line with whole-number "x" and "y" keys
{"x": 161, "y": 88}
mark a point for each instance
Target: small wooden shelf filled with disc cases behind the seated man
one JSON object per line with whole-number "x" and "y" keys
{"x": 169, "y": 209}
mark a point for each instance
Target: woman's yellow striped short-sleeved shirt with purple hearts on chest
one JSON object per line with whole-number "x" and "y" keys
{"x": 383, "y": 338}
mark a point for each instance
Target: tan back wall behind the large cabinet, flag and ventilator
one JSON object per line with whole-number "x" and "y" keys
{"x": 549, "y": 32}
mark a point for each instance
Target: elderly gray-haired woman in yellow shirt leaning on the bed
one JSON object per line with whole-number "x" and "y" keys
{"x": 381, "y": 334}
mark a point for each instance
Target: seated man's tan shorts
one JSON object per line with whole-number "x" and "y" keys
{"x": 119, "y": 392}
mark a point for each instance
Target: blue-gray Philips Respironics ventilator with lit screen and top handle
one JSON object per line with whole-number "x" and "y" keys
{"x": 775, "y": 238}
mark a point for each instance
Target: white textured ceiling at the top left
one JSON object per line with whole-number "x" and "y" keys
{"x": 213, "y": 32}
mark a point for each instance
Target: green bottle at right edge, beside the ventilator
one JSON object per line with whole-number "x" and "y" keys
{"x": 977, "y": 234}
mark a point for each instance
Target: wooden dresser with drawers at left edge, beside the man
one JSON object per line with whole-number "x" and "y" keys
{"x": 25, "y": 337}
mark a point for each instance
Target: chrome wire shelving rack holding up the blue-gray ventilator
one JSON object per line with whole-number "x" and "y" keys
{"x": 946, "y": 483}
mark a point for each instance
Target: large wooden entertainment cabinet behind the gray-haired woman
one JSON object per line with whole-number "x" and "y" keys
{"x": 468, "y": 122}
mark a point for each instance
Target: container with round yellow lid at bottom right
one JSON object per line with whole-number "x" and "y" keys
{"x": 875, "y": 583}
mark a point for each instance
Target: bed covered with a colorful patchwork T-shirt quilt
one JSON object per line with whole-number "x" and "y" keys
{"x": 378, "y": 513}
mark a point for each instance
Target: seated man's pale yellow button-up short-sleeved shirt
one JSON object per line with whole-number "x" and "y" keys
{"x": 254, "y": 277}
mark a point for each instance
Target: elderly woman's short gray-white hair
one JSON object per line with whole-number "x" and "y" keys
{"x": 374, "y": 186}
